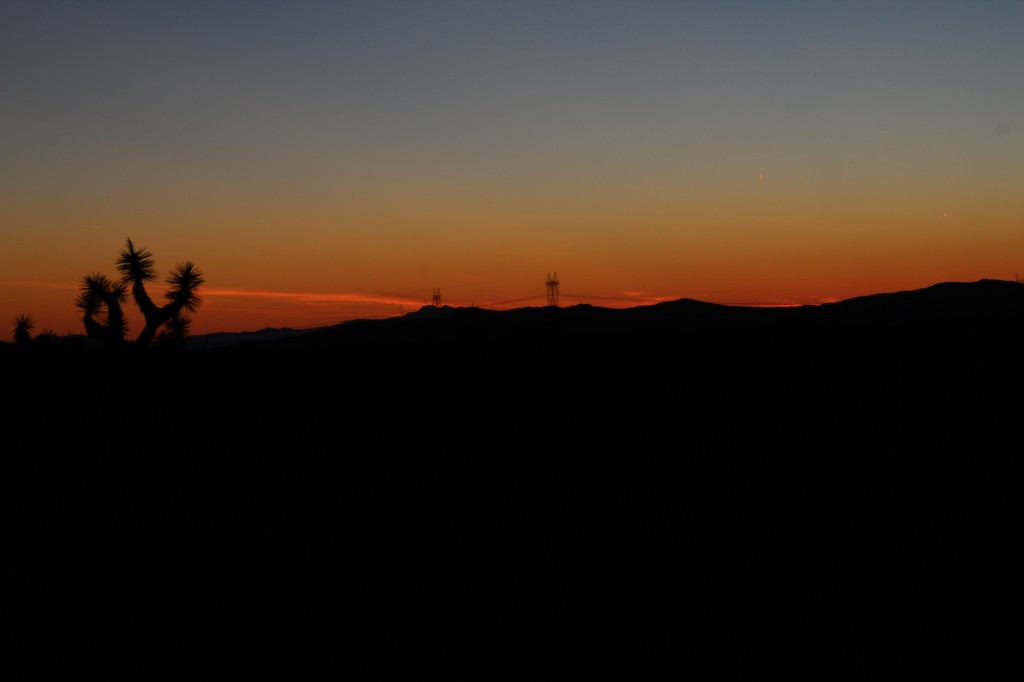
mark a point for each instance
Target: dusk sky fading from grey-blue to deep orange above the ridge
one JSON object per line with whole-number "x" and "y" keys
{"x": 326, "y": 161}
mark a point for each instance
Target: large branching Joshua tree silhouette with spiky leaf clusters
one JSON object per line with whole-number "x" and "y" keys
{"x": 102, "y": 299}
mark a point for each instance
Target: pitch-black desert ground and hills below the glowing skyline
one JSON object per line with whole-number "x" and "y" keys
{"x": 676, "y": 492}
